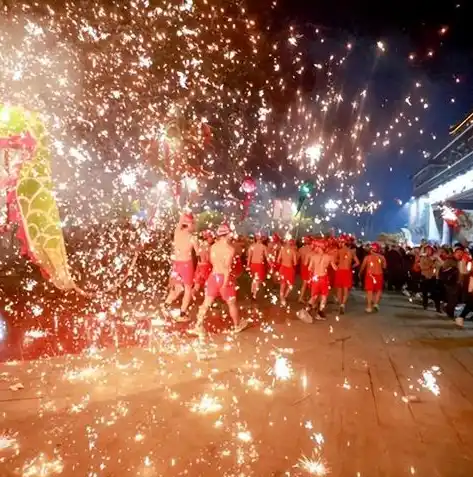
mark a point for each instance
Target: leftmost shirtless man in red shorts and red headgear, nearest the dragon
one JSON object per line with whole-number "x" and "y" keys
{"x": 182, "y": 273}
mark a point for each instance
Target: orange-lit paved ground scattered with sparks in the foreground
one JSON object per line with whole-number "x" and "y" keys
{"x": 354, "y": 396}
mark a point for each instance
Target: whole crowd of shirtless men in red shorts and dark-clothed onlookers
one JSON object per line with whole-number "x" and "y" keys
{"x": 438, "y": 274}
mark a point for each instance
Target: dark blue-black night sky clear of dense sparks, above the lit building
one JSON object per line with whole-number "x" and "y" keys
{"x": 406, "y": 28}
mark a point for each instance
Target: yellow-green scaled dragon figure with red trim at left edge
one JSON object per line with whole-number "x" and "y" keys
{"x": 31, "y": 204}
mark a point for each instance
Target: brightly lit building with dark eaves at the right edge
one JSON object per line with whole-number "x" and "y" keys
{"x": 441, "y": 209}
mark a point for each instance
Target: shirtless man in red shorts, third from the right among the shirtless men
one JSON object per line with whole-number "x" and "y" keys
{"x": 319, "y": 265}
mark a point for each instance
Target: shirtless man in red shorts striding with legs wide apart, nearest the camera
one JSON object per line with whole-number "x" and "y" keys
{"x": 221, "y": 282}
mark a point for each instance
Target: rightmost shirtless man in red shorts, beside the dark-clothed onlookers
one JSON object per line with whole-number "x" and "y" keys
{"x": 374, "y": 264}
